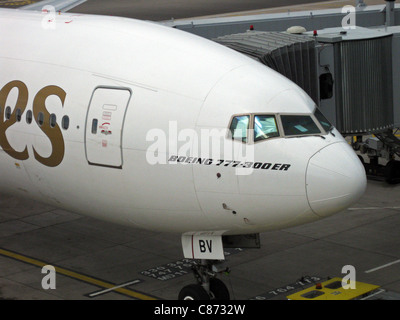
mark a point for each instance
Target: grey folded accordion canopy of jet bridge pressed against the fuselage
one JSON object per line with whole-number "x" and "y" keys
{"x": 293, "y": 56}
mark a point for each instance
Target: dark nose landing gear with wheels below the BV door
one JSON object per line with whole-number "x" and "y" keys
{"x": 208, "y": 287}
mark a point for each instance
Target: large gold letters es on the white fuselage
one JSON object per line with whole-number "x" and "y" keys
{"x": 39, "y": 106}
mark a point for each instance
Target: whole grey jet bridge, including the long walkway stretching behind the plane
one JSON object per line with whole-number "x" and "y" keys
{"x": 353, "y": 74}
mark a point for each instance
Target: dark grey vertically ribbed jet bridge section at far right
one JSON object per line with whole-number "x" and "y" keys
{"x": 365, "y": 85}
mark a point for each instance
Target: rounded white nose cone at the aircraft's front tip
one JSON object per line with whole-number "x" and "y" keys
{"x": 335, "y": 179}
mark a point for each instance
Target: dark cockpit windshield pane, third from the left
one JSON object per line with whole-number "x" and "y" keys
{"x": 296, "y": 125}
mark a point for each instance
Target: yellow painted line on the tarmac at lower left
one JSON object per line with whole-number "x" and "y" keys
{"x": 75, "y": 275}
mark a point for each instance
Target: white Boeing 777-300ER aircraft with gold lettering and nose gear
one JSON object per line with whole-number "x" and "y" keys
{"x": 145, "y": 125}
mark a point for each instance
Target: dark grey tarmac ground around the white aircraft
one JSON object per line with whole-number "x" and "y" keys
{"x": 95, "y": 260}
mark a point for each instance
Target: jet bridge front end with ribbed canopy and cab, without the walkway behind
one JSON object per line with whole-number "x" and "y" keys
{"x": 352, "y": 75}
